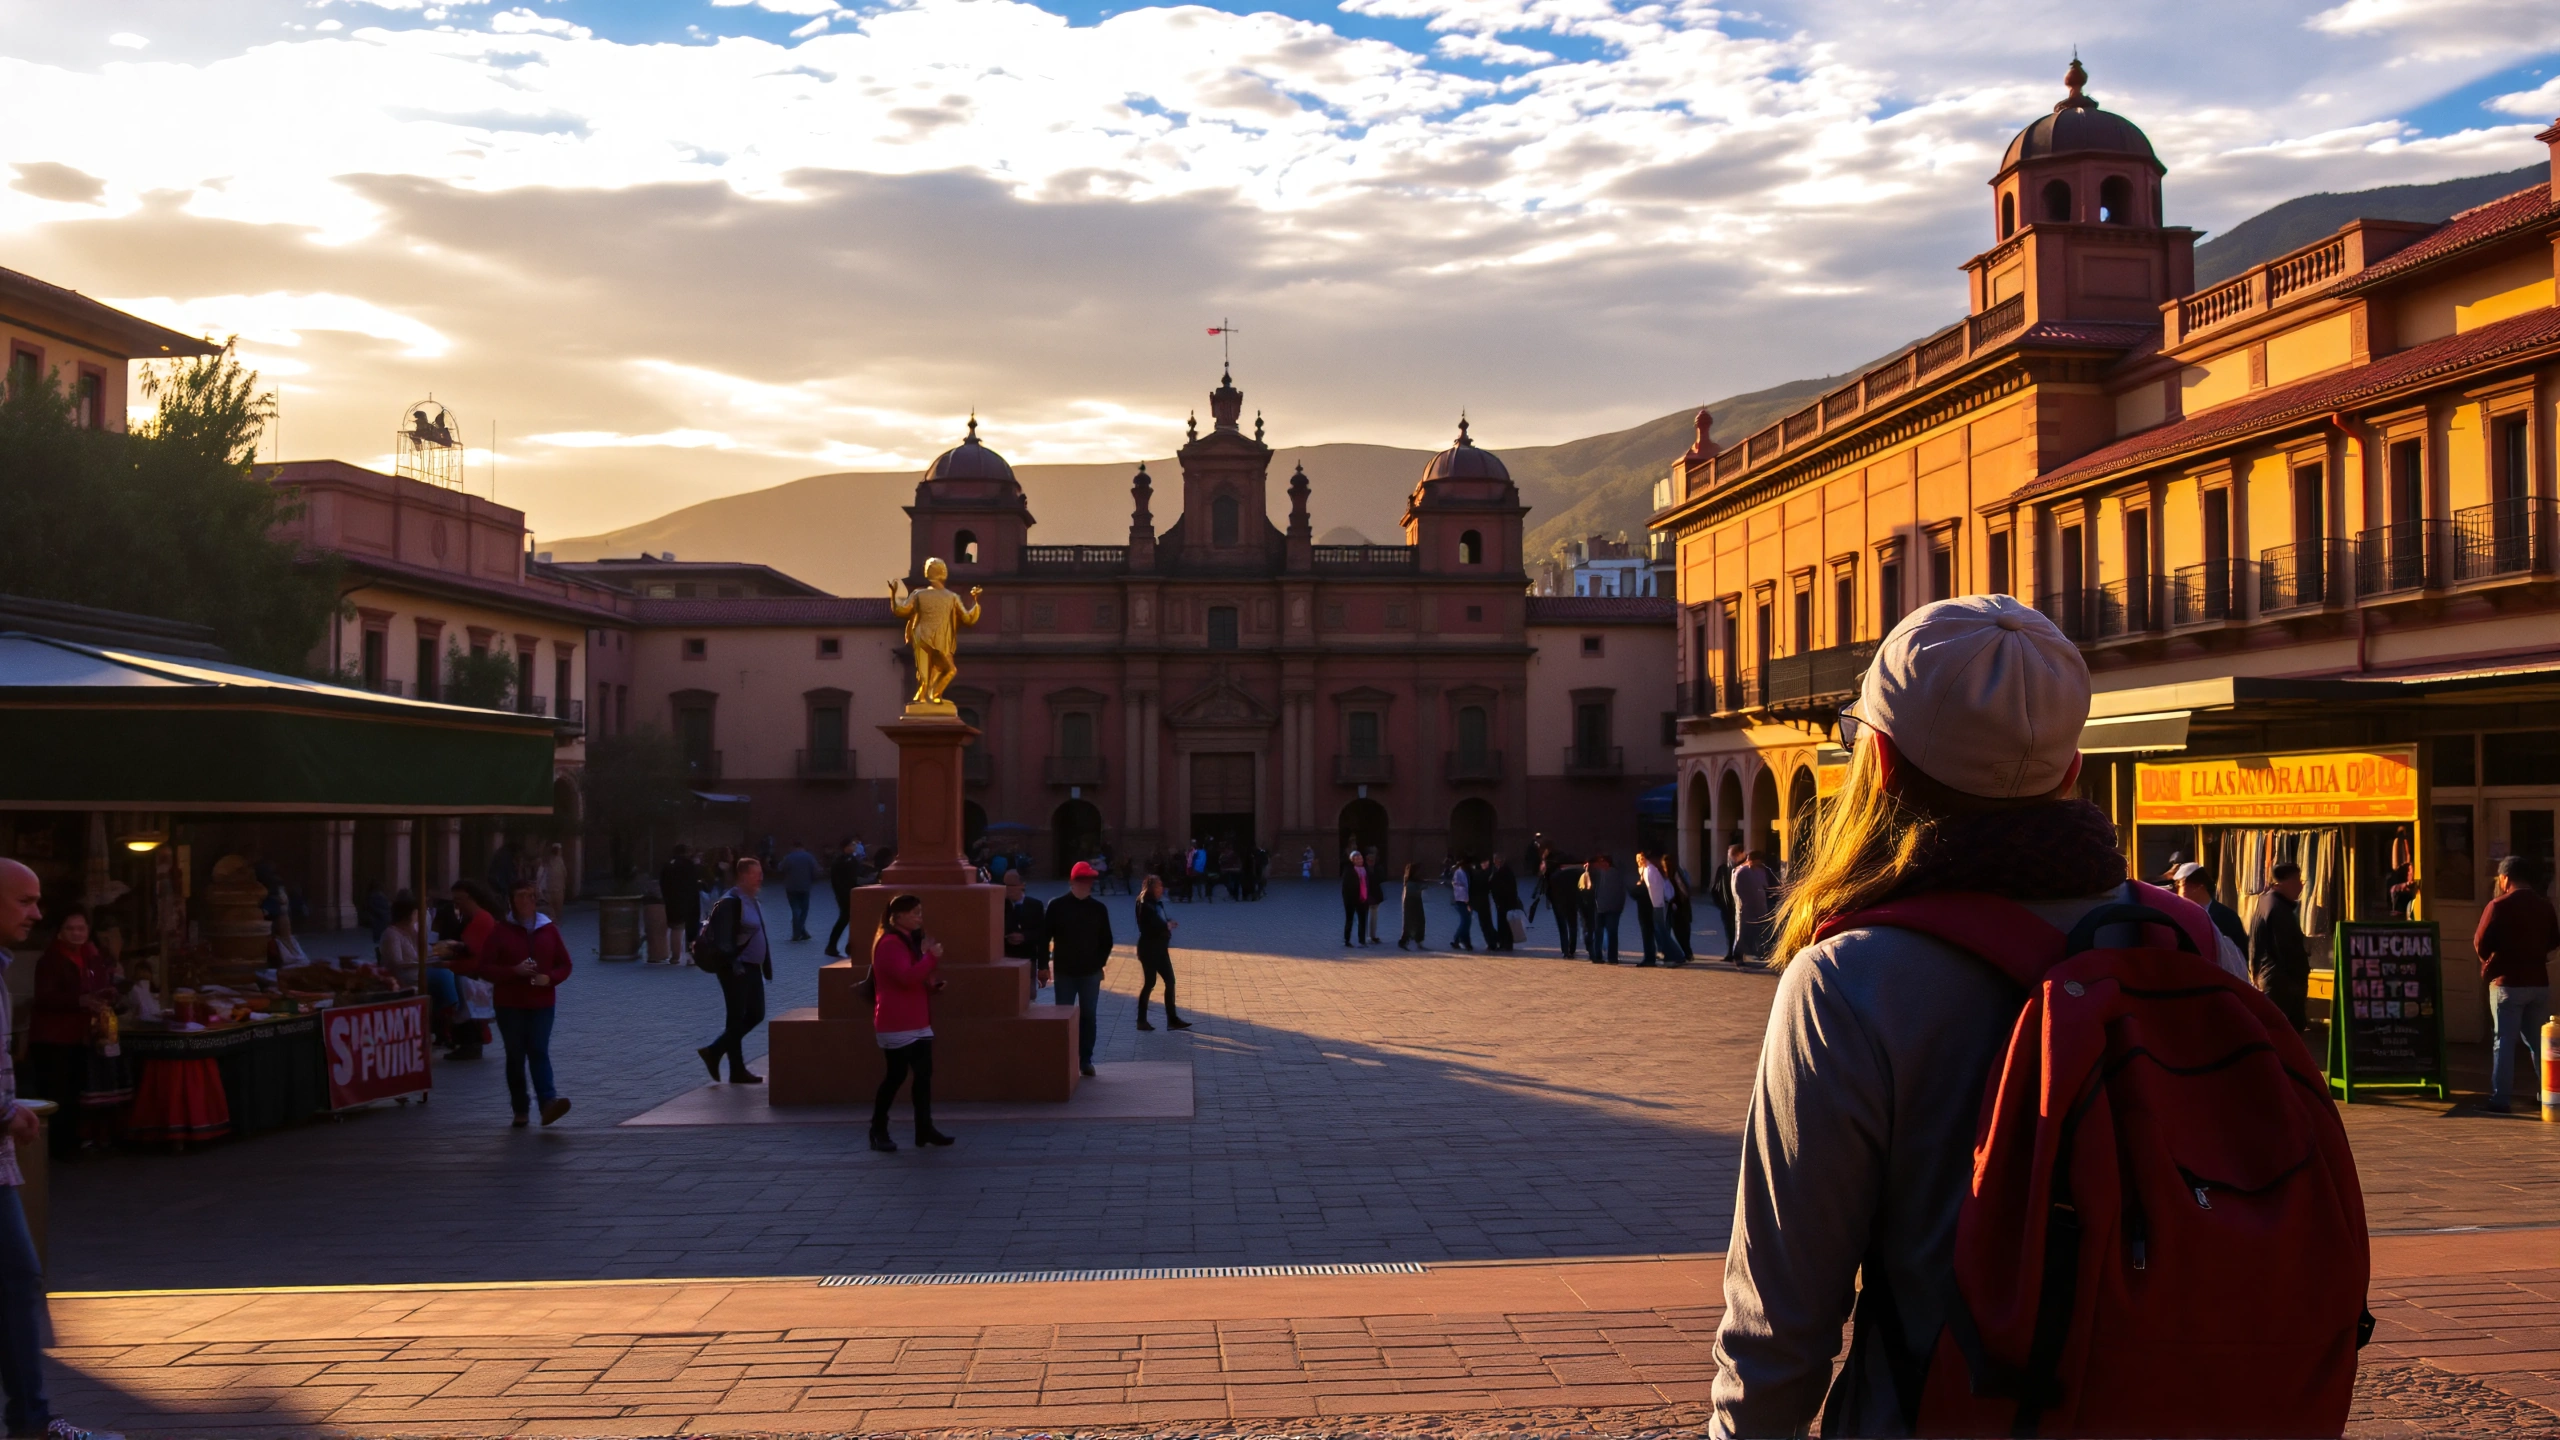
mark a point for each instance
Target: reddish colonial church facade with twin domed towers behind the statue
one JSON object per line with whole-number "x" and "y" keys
{"x": 1228, "y": 678}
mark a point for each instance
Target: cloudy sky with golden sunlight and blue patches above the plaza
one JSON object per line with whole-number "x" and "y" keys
{"x": 669, "y": 250}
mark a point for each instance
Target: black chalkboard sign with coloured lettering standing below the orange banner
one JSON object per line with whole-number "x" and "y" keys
{"x": 2387, "y": 1026}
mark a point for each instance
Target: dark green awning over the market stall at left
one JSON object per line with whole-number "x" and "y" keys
{"x": 99, "y": 729}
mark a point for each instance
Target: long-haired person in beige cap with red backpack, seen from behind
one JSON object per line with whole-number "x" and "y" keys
{"x": 2057, "y": 1167}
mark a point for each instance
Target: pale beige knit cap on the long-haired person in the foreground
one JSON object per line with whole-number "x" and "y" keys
{"x": 1983, "y": 693}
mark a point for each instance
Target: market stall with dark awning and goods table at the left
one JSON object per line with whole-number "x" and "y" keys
{"x": 134, "y": 770}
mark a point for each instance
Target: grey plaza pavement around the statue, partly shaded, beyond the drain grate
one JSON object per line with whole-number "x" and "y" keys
{"x": 1353, "y": 1106}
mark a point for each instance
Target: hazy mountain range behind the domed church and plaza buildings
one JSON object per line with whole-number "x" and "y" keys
{"x": 828, "y": 529}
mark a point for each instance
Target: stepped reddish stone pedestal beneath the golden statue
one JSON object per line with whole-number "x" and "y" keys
{"x": 992, "y": 1042}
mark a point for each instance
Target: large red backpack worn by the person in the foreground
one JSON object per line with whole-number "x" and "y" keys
{"x": 2164, "y": 1231}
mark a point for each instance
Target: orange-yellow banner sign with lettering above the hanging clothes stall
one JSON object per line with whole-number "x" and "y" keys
{"x": 2280, "y": 790}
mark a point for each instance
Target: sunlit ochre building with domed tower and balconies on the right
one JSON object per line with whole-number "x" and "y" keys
{"x": 2303, "y": 527}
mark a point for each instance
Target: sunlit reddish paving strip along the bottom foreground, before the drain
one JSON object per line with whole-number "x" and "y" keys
{"x": 1560, "y": 1346}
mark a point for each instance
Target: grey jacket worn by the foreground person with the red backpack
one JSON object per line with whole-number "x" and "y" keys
{"x": 1857, "y": 1154}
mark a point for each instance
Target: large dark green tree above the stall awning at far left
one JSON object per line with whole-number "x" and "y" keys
{"x": 168, "y": 519}
